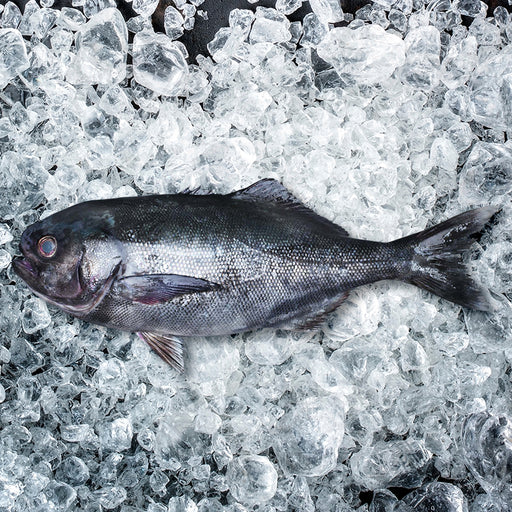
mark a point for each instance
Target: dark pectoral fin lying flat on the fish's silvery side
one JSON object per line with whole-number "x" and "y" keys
{"x": 159, "y": 288}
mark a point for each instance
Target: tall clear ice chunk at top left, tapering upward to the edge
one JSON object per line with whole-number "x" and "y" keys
{"x": 102, "y": 47}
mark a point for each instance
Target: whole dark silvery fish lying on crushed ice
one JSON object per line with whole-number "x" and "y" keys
{"x": 173, "y": 266}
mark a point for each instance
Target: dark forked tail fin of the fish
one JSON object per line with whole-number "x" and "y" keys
{"x": 437, "y": 259}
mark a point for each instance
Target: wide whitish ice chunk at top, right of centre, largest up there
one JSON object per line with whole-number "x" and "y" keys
{"x": 367, "y": 54}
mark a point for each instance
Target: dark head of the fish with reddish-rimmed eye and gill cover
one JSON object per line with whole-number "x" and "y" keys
{"x": 60, "y": 261}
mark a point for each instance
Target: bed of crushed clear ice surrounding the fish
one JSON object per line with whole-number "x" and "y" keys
{"x": 396, "y": 120}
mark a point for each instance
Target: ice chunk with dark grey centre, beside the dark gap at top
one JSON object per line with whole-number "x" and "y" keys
{"x": 158, "y": 63}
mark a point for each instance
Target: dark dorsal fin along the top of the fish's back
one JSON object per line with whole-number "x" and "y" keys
{"x": 271, "y": 191}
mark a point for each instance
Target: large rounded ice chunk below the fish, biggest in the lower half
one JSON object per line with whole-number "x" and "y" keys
{"x": 307, "y": 439}
